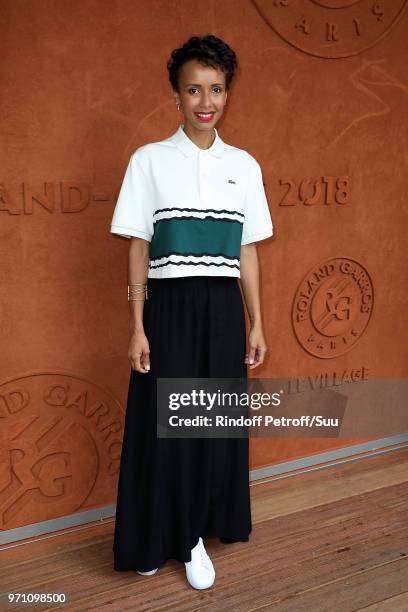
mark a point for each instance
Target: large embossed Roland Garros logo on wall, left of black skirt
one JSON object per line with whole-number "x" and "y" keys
{"x": 61, "y": 440}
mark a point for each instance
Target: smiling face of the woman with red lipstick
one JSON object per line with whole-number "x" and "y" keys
{"x": 201, "y": 90}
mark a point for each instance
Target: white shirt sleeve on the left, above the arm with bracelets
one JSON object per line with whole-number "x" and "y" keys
{"x": 133, "y": 214}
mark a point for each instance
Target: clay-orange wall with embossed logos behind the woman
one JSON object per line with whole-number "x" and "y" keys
{"x": 320, "y": 99}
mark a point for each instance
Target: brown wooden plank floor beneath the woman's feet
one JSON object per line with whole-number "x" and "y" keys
{"x": 334, "y": 539}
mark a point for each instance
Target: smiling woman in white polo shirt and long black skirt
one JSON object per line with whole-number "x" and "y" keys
{"x": 193, "y": 207}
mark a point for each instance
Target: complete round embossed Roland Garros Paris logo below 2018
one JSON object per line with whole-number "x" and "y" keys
{"x": 332, "y": 307}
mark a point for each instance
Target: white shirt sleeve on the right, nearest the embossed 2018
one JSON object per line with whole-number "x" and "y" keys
{"x": 258, "y": 222}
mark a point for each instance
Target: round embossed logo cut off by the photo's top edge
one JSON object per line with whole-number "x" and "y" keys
{"x": 331, "y": 28}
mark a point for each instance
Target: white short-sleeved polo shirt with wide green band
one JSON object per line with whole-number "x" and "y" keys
{"x": 195, "y": 206}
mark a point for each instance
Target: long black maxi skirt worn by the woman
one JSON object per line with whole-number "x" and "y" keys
{"x": 173, "y": 490}
